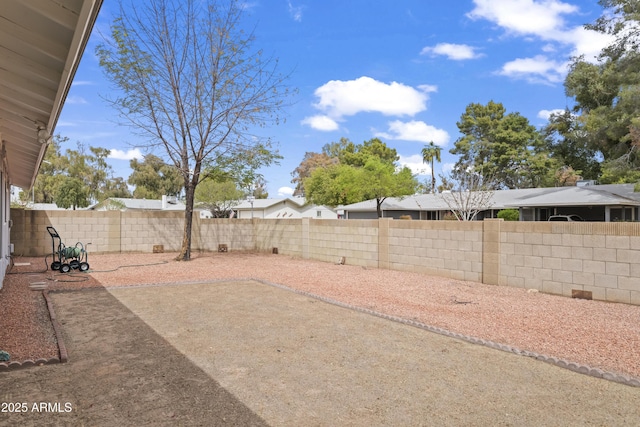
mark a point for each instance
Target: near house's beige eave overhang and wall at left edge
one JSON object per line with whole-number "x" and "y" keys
{"x": 42, "y": 43}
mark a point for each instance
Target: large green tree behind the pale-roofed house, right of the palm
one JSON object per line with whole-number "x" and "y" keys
{"x": 503, "y": 147}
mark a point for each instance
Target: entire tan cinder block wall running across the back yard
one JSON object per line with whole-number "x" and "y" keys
{"x": 587, "y": 260}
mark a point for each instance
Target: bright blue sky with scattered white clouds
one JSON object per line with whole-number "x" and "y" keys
{"x": 402, "y": 71}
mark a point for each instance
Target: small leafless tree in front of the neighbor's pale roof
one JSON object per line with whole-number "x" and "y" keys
{"x": 470, "y": 194}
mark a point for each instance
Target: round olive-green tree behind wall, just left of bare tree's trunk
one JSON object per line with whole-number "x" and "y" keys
{"x": 153, "y": 178}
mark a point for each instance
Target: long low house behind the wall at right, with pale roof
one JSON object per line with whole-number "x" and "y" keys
{"x": 614, "y": 202}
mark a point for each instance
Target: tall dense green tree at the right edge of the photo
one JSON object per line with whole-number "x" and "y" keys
{"x": 607, "y": 92}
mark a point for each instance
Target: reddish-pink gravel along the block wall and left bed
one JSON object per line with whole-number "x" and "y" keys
{"x": 593, "y": 333}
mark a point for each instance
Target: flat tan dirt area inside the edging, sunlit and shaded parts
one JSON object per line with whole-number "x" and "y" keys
{"x": 246, "y": 353}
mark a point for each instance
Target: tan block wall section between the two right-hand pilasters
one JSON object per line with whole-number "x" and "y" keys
{"x": 443, "y": 248}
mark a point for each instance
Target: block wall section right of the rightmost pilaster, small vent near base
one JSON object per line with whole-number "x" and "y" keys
{"x": 561, "y": 258}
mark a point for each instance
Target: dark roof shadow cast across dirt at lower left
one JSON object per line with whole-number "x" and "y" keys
{"x": 120, "y": 372}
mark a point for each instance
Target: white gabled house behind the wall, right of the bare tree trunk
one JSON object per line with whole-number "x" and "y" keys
{"x": 290, "y": 207}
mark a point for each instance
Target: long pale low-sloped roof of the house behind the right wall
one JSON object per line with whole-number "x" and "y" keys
{"x": 592, "y": 195}
